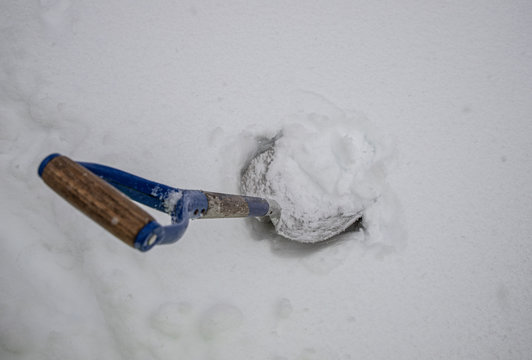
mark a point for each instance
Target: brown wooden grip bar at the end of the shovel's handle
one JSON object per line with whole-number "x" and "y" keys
{"x": 95, "y": 198}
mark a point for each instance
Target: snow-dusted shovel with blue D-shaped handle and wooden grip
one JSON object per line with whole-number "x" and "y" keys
{"x": 104, "y": 194}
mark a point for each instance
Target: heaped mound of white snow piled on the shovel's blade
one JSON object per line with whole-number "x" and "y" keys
{"x": 323, "y": 169}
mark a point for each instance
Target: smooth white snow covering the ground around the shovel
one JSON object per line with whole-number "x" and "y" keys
{"x": 172, "y": 90}
